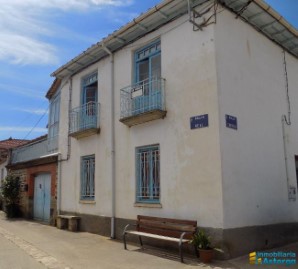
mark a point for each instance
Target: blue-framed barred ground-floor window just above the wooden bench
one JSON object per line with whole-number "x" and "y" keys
{"x": 148, "y": 174}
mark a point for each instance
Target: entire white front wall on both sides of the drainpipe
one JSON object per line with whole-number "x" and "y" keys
{"x": 190, "y": 159}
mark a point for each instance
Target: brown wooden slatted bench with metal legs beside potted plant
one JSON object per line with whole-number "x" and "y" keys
{"x": 173, "y": 230}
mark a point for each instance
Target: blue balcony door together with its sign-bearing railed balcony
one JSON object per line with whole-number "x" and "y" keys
{"x": 144, "y": 100}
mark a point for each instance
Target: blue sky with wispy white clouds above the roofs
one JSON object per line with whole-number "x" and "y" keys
{"x": 38, "y": 36}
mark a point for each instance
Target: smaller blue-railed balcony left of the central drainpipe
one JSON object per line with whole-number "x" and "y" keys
{"x": 84, "y": 120}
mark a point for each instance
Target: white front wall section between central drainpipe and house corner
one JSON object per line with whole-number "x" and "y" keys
{"x": 190, "y": 160}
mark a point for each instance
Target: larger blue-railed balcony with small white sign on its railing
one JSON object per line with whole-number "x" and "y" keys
{"x": 143, "y": 102}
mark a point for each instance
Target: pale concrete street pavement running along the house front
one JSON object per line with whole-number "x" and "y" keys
{"x": 26, "y": 244}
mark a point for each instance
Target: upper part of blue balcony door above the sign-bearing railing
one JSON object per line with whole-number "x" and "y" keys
{"x": 148, "y": 62}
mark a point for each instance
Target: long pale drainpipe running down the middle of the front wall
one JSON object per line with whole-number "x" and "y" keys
{"x": 113, "y": 178}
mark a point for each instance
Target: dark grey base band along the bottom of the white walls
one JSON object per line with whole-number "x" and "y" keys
{"x": 229, "y": 243}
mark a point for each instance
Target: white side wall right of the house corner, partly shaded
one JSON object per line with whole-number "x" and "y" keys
{"x": 251, "y": 87}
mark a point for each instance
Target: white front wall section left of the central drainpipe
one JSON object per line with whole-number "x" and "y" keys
{"x": 97, "y": 144}
